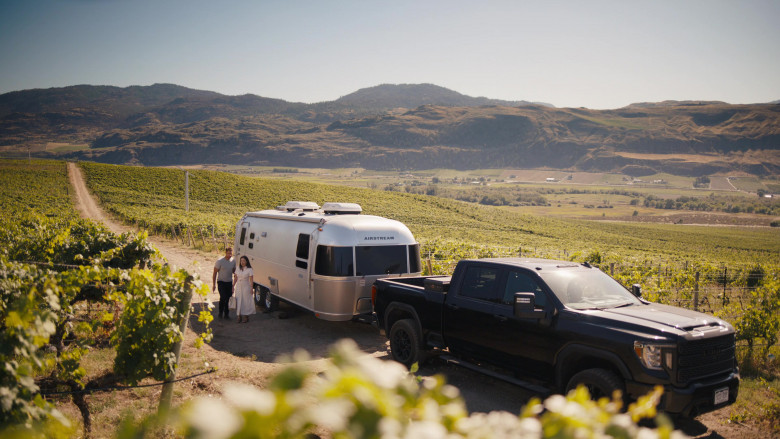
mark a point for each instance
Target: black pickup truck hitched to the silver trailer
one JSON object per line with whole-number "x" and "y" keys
{"x": 561, "y": 324}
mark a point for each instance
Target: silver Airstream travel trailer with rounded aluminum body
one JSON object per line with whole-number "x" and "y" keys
{"x": 324, "y": 259}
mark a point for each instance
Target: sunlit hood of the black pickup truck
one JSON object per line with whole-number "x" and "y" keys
{"x": 666, "y": 318}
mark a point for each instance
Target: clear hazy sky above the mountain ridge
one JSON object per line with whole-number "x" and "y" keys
{"x": 596, "y": 54}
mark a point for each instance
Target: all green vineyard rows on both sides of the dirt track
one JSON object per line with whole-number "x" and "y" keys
{"x": 69, "y": 283}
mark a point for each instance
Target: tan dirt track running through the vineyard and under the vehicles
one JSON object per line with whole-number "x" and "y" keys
{"x": 248, "y": 352}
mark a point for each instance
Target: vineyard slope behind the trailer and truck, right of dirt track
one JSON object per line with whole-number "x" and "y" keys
{"x": 729, "y": 271}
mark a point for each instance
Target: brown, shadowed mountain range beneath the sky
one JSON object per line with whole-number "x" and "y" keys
{"x": 388, "y": 127}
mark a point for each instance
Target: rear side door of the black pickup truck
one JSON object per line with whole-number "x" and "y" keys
{"x": 468, "y": 314}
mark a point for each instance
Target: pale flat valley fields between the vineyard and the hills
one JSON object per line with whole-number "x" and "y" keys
{"x": 584, "y": 195}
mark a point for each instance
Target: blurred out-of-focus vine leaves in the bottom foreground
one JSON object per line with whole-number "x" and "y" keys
{"x": 360, "y": 396}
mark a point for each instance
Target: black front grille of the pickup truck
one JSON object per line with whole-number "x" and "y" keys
{"x": 705, "y": 358}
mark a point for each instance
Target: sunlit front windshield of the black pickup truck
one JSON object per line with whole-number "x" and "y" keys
{"x": 587, "y": 288}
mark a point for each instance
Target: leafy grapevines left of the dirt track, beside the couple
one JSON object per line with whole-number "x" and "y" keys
{"x": 68, "y": 286}
